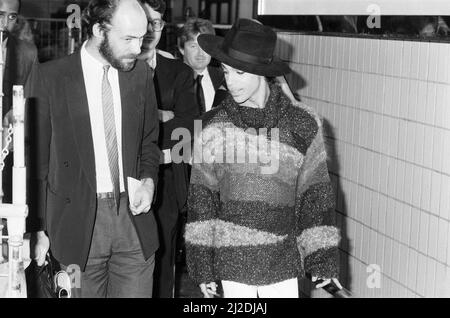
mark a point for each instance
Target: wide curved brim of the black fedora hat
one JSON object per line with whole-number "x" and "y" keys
{"x": 212, "y": 45}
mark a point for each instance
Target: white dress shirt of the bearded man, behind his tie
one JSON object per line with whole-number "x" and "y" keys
{"x": 93, "y": 76}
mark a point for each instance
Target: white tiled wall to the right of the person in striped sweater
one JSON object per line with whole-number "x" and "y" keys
{"x": 386, "y": 107}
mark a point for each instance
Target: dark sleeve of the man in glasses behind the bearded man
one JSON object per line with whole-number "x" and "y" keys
{"x": 185, "y": 104}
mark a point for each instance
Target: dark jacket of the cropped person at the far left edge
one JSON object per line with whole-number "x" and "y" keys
{"x": 20, "y": 57}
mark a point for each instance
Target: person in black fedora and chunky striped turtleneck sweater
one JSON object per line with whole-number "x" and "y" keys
{"x": 260, "y": 204}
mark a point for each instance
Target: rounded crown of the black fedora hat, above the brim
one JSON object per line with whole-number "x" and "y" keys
{"x": 245, "y": 38}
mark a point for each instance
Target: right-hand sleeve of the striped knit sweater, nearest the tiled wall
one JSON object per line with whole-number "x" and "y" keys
{"x": 317, "y": 236}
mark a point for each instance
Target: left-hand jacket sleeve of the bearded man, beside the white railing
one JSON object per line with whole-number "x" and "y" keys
{"x": 38, "y": 113}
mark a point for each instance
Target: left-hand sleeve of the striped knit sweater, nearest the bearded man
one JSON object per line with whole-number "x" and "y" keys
{"x": 203, "y": 207}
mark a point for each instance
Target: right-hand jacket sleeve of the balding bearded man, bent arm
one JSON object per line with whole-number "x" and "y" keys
{"x": 150, "y": 153}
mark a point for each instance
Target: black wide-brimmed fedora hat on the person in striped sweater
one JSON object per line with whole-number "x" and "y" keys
{"x": 248, "y": 46}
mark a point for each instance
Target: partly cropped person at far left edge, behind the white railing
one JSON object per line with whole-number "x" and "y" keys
{"x": 18, "y": 59}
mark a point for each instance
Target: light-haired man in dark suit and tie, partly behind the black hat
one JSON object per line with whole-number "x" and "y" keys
{"x": 209, "y": 79}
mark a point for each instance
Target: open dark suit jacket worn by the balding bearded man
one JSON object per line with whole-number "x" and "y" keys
{"x": 65, "y": 163}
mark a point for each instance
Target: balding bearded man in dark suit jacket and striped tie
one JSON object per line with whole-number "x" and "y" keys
{"x": 97, "y": 124}
